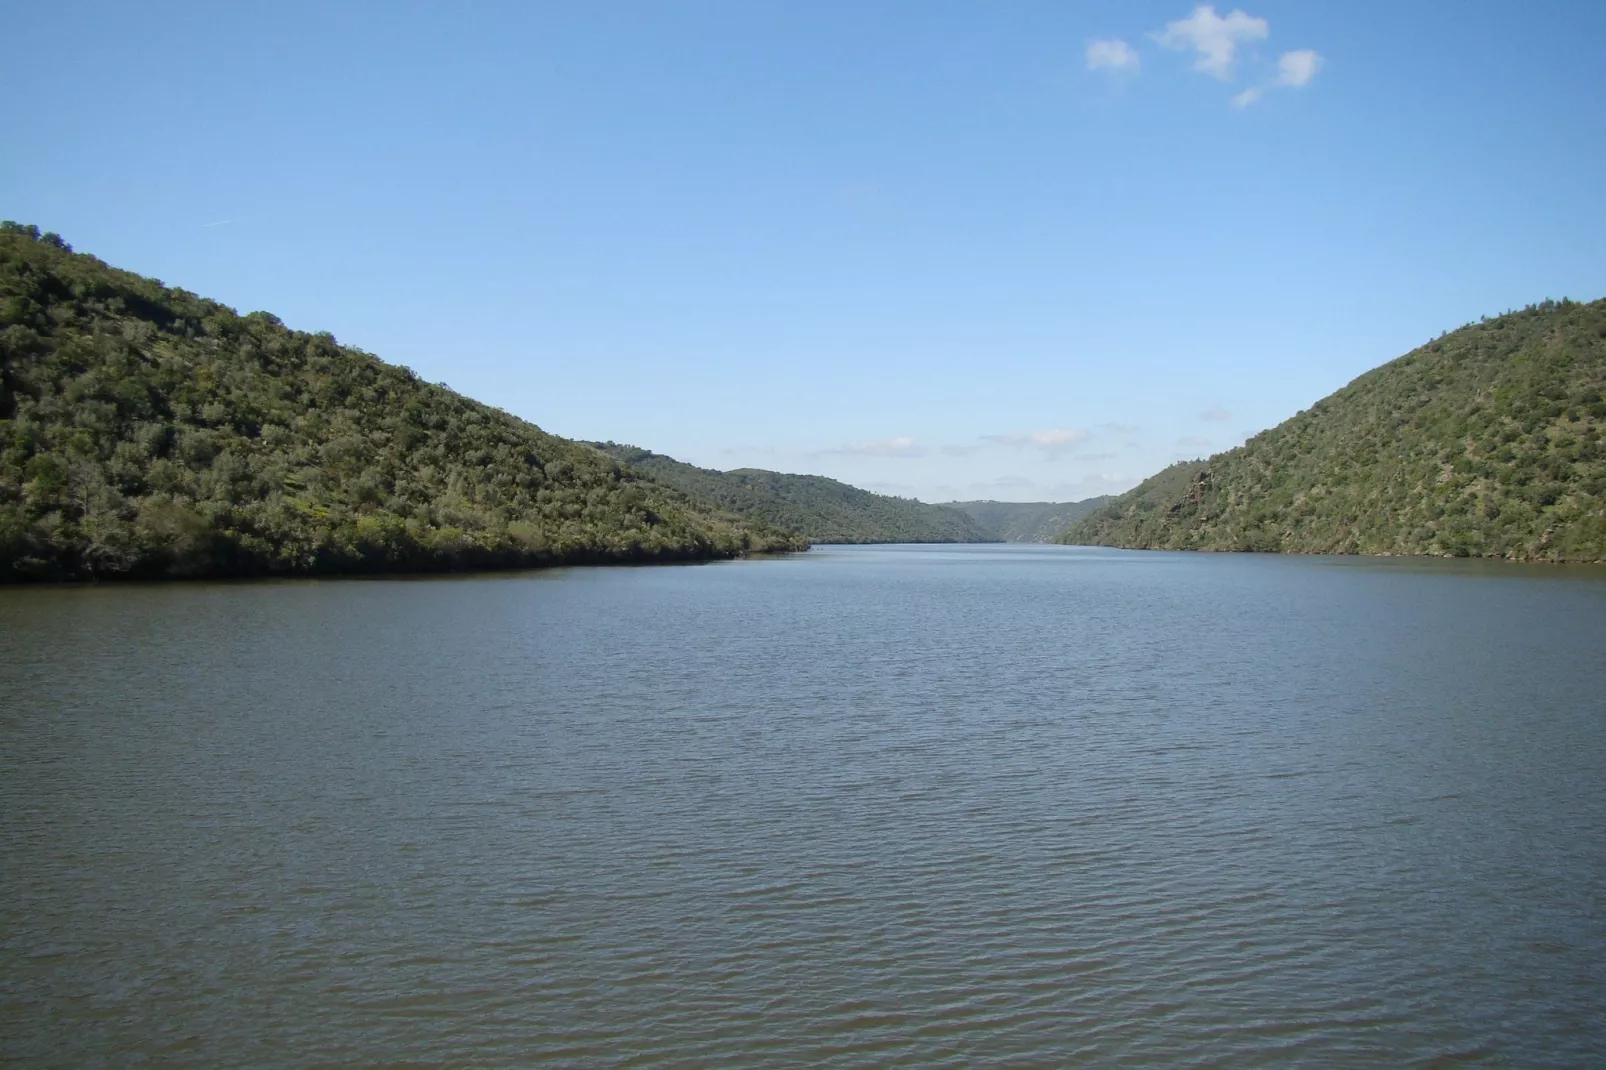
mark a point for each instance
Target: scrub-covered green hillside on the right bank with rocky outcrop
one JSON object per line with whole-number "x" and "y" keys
{"x": 1486, "y": 443}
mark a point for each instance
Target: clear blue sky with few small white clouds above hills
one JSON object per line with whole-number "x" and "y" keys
{"x": 1005, "y": 250}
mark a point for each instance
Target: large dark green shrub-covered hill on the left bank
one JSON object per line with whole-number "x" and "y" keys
{"x": 147, "y": 431}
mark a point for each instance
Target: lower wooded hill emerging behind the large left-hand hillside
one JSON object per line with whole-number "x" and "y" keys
{"x": 813, "y": 507}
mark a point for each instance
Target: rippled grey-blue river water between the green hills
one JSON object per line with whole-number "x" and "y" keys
{"x": 990, "y": 806}
